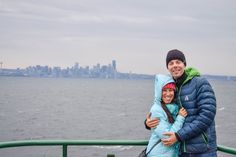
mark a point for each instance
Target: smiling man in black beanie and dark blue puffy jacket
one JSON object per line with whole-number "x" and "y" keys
{"x": 195, "y": 94}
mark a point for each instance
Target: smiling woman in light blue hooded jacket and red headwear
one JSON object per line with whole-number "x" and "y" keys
{"x": 171, "y": 118}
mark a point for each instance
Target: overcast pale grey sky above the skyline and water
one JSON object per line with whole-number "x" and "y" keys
{"x": 136, "y": 33}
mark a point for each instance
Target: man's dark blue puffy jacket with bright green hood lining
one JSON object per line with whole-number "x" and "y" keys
{"x": 196, "y": 95}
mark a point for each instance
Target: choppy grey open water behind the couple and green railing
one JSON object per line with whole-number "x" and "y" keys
{"x": 60, "y": 108}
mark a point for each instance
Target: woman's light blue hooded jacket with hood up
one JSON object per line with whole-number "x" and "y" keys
{"x": 157, "y": 111}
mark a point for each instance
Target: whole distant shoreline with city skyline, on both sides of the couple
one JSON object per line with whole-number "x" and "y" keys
{"x": 91, "y": 70}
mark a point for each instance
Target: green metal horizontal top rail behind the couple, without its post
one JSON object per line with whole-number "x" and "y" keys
{"x": 90, "y": 143}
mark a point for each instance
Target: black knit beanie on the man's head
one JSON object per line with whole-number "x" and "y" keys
{"x": 175, "y": 54}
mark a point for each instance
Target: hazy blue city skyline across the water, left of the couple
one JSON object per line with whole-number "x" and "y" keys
{"x": 108, "y": 71}
